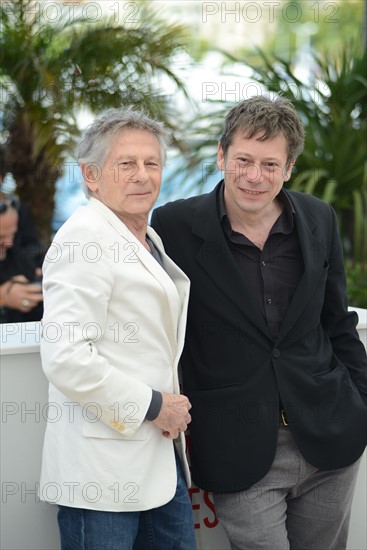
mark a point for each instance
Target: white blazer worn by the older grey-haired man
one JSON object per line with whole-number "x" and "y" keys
{"x": 113, "y": 329}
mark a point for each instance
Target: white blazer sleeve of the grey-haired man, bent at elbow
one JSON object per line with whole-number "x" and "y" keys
{"x": 78, "y": 279}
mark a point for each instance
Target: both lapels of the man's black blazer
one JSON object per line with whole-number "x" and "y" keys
{"x": 216, "y": 260}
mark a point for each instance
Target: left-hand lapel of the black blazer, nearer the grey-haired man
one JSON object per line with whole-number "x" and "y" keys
{"x": 216, "y": 259}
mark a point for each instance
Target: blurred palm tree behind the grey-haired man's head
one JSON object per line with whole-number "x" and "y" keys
{"x": 50, "y": 70}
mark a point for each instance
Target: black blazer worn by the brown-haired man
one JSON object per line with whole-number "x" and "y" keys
{"x": 233, "y": 372}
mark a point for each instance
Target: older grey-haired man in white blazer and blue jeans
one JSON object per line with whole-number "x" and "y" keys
{"x": 113, "y": 331}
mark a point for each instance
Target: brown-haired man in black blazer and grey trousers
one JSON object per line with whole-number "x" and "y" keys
{"x": 273, "y": 364}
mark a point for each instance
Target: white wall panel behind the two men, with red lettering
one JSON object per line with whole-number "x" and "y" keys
{"x": 27, "y": 523}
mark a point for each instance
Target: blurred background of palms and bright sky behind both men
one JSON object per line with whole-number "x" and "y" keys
{"x": 185, "y": 62}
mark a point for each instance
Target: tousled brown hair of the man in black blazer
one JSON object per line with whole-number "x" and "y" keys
{"x": 261, "y": 114}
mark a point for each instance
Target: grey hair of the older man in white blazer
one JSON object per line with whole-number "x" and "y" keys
{"x": 96, "y": 141}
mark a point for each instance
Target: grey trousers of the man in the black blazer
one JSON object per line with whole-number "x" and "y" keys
{"x": 295, "y": 506}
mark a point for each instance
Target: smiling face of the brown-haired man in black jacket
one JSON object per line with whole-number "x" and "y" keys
{"x": 254, "y": 173}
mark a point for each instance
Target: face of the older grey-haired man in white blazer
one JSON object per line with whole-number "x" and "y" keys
{"x": 130, "y": 179}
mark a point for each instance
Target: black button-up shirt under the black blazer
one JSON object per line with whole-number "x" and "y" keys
{"x": 272, "y": 274}
